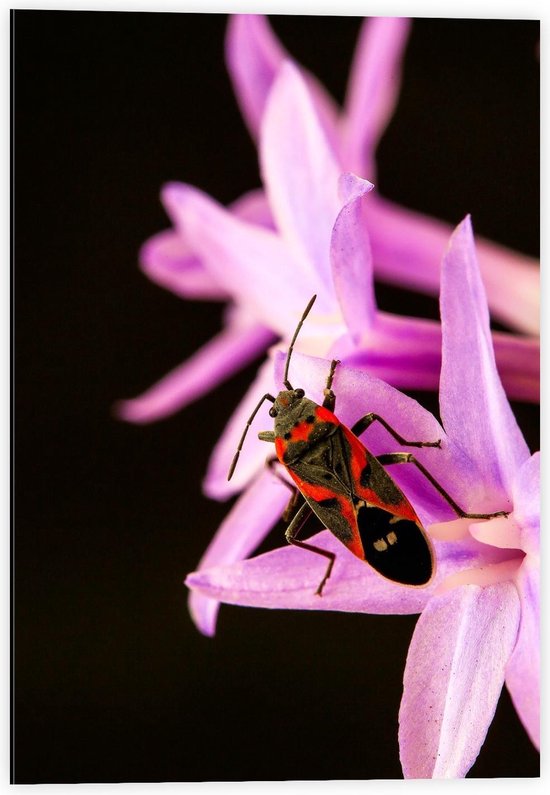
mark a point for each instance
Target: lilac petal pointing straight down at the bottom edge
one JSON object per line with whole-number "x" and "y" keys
{"x": 453, "y": 678}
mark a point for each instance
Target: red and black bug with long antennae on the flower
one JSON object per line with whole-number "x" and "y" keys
{"x": 346, "y": 486}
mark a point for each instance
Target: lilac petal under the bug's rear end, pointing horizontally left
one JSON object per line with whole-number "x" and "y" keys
{"x": 287, "y": 578}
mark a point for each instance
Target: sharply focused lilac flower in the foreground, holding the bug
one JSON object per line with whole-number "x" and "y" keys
{"x": 479, "y": 622}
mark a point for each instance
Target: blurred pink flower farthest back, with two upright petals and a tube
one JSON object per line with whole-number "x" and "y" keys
{"x": 407, "y": 246}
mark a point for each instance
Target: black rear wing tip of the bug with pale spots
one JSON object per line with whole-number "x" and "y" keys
{"x": 398, "y": 550}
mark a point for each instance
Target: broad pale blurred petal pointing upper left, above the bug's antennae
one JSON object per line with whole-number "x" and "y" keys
{"x": 250, "y": 262}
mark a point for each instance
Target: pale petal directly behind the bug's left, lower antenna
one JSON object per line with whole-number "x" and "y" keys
{"x": 254, "y": 452}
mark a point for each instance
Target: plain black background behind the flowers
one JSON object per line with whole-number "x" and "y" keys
{"x": 112, "y": 681}
